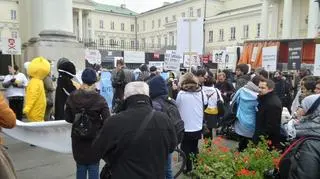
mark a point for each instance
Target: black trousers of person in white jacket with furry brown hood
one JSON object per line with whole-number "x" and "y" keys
{"x": 189, "y": 146}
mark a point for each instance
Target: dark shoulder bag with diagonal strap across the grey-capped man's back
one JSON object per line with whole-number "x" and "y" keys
{"x": 106, "y": 172}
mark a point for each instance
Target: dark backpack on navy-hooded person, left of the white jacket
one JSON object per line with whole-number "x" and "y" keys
{"x": 170, "y": 108}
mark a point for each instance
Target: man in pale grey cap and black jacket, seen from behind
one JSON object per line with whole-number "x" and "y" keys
{"x": 135, "y": 143}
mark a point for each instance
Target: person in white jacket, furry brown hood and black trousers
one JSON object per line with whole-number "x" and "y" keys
{"x": 191, "y": 101}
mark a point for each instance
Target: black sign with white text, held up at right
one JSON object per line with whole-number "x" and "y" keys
{"x": 294, "y": 57}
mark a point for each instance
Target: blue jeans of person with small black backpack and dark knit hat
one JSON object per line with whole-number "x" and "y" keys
{"x": 91, "y": 169}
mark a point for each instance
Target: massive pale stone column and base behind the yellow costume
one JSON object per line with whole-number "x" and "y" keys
{"x": 52, "y": 25}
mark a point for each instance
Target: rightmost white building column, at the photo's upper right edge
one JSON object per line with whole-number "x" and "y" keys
{"x": 313, "y": 19}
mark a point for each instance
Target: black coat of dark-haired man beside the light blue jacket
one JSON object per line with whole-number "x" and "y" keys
{"x": 268, "y": 118}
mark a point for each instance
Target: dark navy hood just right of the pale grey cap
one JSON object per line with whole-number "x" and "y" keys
{"x": 158, "y": 87}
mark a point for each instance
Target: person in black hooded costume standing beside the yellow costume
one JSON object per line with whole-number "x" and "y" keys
{"x": 65, "y": 86}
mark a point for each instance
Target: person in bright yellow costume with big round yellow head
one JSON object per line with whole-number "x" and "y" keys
{"x": 35, "y": 103}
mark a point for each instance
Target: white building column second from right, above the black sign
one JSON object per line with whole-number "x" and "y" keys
{"x": 287, "y": 19}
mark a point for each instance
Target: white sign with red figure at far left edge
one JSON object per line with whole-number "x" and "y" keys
{"x": 11, "y": 46}
